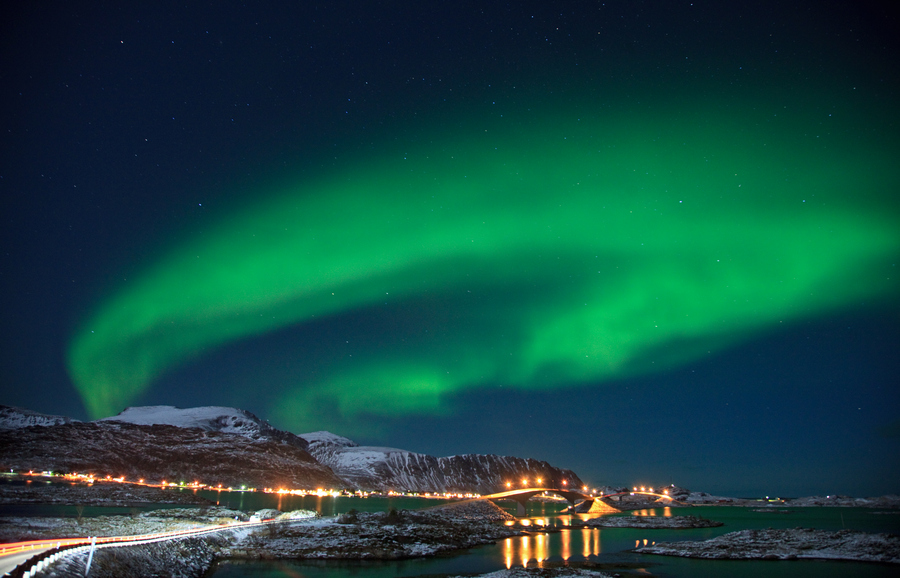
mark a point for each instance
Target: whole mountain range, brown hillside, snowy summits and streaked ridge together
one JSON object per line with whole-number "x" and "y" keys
{"x": 232, "y": 447}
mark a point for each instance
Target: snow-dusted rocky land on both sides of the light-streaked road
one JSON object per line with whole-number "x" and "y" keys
{"x": 296, "y": 535}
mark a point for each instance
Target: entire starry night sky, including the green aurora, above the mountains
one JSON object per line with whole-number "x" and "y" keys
{"x": 654, "y": 242}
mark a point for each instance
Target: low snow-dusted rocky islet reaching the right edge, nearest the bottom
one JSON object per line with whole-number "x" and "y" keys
{"x": 797, "y": 543}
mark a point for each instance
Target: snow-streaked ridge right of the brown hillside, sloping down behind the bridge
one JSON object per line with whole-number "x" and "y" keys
{"x": 380, "y": 468}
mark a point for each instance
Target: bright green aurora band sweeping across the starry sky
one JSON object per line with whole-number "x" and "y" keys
{"x": 562, "y": 252}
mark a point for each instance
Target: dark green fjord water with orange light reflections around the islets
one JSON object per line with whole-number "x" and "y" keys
{"x": 609, "y": 548}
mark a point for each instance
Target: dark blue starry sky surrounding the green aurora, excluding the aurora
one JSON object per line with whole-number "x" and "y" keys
{"x": 127, "y": 129}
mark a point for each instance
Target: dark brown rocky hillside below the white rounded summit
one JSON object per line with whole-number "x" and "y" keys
{"x": 162, "y": 452}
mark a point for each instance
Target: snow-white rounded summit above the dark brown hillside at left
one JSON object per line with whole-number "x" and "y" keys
{"x": 209, "y": 418}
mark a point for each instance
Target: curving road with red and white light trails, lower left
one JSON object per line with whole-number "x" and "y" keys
{"x": 13, "y": 554}
